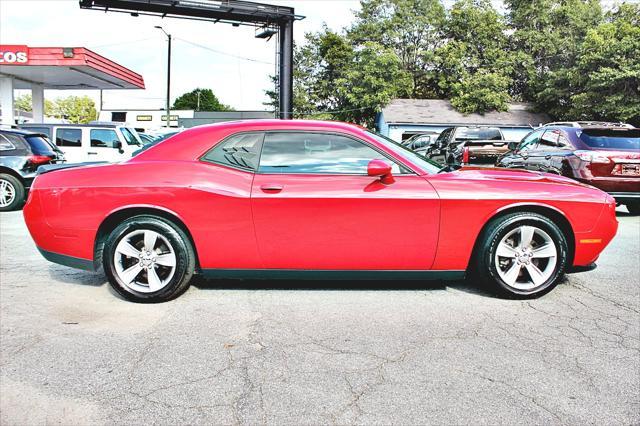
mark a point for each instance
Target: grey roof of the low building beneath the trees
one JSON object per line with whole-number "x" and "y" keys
{"x": 440, "y": 111}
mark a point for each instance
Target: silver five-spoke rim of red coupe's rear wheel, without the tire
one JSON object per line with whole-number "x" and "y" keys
{"x": 144, "y": 261}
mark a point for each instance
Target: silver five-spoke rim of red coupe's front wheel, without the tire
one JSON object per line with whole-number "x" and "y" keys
{"x": 526, "y": 257}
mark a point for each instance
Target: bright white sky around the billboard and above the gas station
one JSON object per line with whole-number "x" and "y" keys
{"x": 134, "y": 43}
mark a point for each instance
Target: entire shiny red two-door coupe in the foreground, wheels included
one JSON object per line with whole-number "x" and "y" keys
{"x": 309, "y": 199}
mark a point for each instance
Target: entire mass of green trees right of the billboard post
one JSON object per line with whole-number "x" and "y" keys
{"x": 567, "y": 57}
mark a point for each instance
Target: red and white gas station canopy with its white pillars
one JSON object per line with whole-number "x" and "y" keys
{"x": 61, "y": 68}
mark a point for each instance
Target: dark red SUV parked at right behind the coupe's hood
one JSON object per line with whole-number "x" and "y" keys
{"x": 605, "y": 157}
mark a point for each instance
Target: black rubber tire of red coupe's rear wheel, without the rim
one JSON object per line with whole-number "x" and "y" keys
{"x": 181, "y": 245}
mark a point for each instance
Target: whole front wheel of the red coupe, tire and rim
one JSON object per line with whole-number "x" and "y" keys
{"x": 522, "y": 255}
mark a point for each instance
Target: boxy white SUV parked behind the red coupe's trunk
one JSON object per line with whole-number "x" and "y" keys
{"x": 90, "y": 142}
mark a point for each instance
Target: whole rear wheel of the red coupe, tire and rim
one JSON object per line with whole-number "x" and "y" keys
{"x": 148, "y": 259}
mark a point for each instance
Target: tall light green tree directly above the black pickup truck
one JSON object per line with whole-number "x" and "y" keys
{"x": 474, "y": 66}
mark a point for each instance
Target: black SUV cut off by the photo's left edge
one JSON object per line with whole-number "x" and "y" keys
{"x": 21, "y": 153}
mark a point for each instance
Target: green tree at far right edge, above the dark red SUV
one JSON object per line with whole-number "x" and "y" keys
{"x": 607, "y": 70}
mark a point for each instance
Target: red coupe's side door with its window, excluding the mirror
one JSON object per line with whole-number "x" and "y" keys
{"x": 315, "y": 207}
